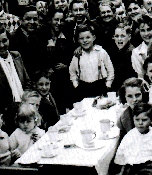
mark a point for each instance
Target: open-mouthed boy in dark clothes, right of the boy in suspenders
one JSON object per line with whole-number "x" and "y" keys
{"x": 121, "y": 57}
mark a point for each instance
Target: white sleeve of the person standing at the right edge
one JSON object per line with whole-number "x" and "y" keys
{"x": 137, "y": 63}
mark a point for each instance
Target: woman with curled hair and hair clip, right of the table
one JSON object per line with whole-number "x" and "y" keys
{"x": 133, "y": 91}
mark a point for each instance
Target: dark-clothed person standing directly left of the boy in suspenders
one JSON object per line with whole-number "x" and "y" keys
{"x": 59, "y": 58}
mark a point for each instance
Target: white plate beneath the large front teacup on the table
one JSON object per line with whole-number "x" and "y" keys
{"x": 98, "y": 144}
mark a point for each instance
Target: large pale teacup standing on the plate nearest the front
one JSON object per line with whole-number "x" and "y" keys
{"x": 88, "y": 136}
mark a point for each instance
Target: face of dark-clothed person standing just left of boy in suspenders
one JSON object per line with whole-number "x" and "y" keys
{"x": 58, "y": 21}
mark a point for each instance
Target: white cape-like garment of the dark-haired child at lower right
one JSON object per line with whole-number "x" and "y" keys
{"x": 135, "y": 148}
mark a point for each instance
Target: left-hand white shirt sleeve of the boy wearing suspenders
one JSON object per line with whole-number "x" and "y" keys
{"x": 73, "y": 69}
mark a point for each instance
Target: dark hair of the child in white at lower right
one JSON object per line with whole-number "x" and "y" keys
{"x": 143, "y": 108}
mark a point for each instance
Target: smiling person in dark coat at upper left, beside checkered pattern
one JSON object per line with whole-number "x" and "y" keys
{"x": 29, "y": 42}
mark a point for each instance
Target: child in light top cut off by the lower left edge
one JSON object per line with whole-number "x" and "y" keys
{"x": 5, "y": 154}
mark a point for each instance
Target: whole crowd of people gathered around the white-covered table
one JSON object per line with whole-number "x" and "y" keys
{"x": 54, "y": 53}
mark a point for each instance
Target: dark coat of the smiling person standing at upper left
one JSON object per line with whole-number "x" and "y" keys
{"x": 32, "y": 48}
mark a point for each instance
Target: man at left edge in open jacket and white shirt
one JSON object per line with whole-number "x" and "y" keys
{"x": 13, "y": 76}
